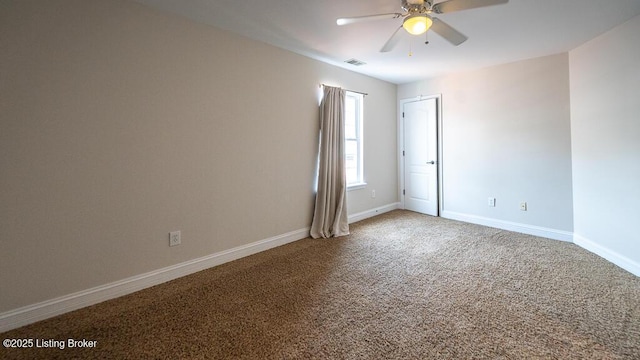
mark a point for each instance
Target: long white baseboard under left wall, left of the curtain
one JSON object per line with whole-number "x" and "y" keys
{"x": 29, "y": 314}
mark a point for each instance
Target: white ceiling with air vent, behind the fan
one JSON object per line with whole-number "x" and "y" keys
{"x": 498, "y": 34}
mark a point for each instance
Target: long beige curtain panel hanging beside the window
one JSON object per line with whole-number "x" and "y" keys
{"x": 330, "y": 215}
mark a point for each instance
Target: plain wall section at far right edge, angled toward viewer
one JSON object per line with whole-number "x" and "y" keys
{"x": 605, "y": 136}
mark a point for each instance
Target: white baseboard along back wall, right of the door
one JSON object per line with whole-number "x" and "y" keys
{"x": 511, "y": 226}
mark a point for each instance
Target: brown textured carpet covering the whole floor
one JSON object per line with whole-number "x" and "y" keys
{"x": 402, "y": 286}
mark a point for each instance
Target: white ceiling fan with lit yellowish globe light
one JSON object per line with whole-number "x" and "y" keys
{"x": 418, "y": 18}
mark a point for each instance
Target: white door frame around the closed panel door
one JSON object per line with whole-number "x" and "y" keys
{"x": 400, "y": 133}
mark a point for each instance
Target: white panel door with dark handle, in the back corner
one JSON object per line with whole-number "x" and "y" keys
{"x": 421, "y": 156}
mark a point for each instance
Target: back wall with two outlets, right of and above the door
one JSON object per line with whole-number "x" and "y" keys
{"x": 506, "y": 134}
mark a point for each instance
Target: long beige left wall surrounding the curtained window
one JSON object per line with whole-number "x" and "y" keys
{"x": 120, "y": 124}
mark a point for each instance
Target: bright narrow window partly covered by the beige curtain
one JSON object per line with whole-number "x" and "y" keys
{"x": 353, "y": 138}
